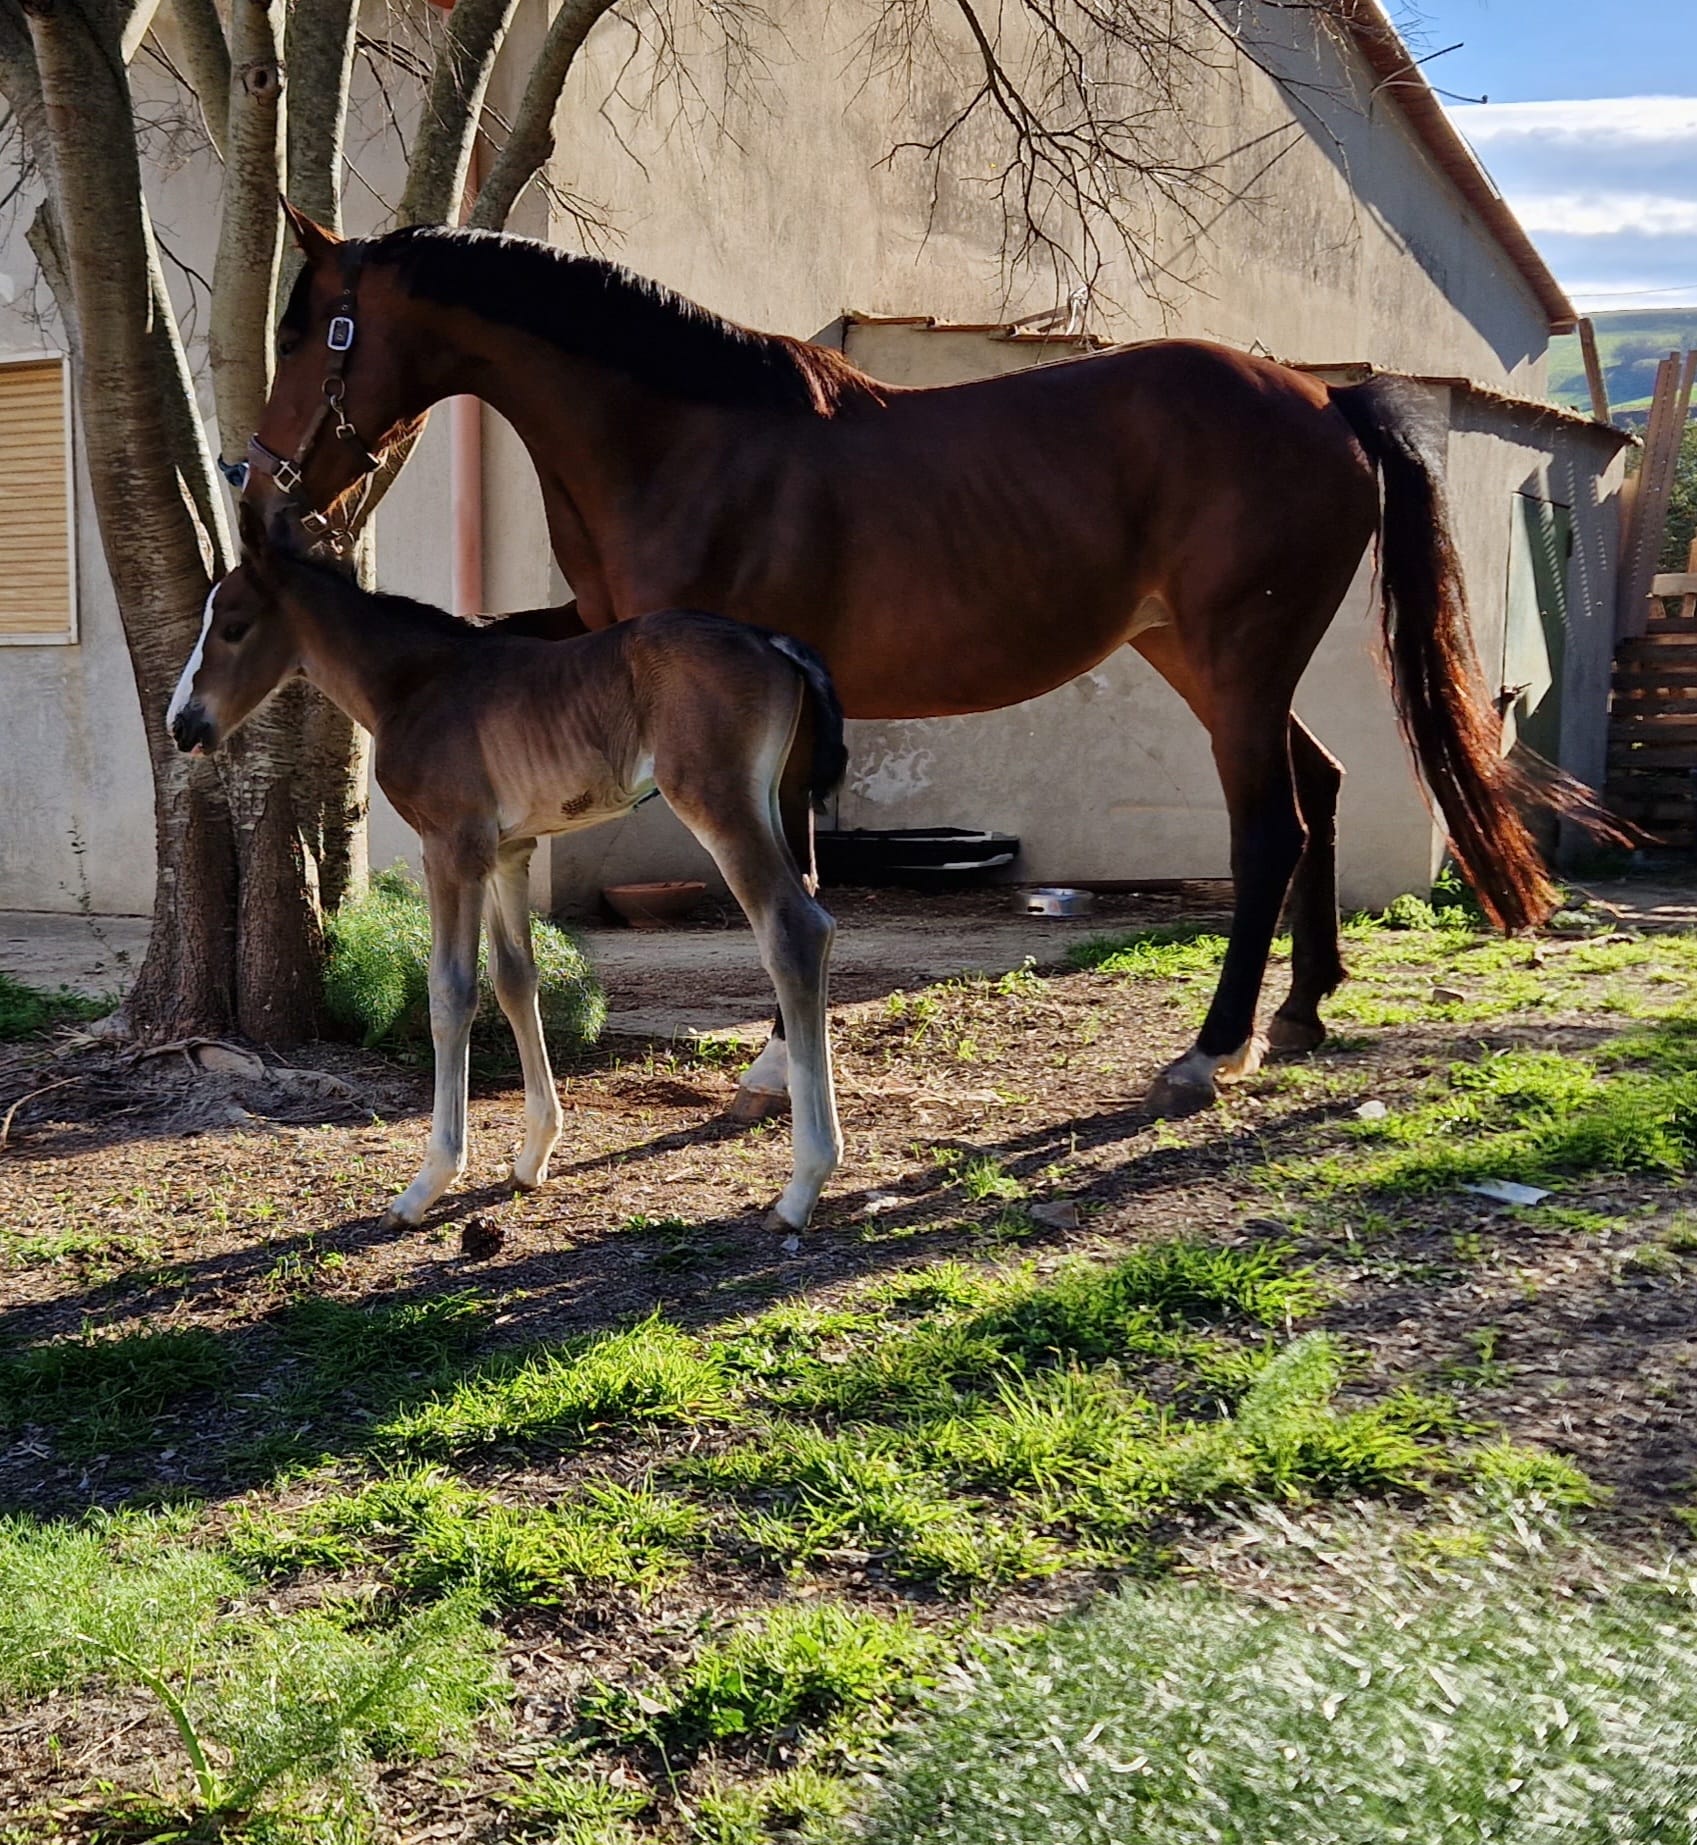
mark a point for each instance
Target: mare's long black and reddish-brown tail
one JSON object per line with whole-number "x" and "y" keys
{"x": 1442, "y": 698}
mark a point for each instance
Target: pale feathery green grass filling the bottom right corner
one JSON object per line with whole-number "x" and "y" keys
{"x": 1480, "y": 1702}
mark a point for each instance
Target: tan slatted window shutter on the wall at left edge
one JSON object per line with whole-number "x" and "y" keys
{"x": 38, "y": 575}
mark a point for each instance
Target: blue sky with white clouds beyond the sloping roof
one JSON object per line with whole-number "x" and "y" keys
{"x": 1589, "y": 130}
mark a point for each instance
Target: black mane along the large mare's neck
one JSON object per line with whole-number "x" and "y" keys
{"x": 604, "y": 313}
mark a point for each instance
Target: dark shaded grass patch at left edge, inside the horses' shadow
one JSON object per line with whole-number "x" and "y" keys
{"x": 101, "y": 1394}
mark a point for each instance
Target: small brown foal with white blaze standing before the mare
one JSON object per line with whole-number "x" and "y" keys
{"x": 488, "y": 741}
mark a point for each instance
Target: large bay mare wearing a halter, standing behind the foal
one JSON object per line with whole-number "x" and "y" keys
{"x": 953, "y": 549}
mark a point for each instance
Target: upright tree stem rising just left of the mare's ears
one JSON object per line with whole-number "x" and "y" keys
{"x": 250, "y": 232}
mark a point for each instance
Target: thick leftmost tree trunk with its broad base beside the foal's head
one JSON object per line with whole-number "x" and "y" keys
{"x": 228, "y": 872}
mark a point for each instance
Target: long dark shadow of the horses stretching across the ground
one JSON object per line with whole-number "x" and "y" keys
{"x": 313, "y": 1377}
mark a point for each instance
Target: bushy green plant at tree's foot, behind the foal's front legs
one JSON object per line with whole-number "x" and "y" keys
{"x": 379, "y": 966}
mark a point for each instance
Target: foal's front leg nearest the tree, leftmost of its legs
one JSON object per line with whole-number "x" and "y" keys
{"x": 455, "y": 885}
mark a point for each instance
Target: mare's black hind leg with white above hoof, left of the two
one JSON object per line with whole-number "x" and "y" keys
{"x": 1253, "y": 754}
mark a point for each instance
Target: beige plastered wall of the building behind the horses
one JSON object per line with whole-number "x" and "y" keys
{"x": 776, "y": 202}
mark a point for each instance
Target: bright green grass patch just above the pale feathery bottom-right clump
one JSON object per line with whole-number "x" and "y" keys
{"x": 1006, "y": 1470}
